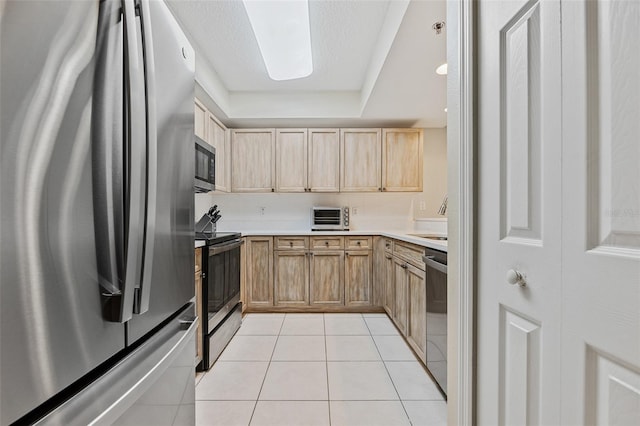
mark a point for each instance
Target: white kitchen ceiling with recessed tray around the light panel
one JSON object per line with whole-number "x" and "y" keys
{"x": 374, "y": 65}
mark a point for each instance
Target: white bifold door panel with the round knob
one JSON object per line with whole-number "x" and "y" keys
{"x": 519, "y": 200}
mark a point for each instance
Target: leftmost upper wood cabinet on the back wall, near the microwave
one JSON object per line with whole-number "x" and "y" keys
{"x": 253, "y": 155}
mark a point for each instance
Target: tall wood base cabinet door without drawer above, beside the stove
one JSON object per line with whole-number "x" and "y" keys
{"x": 259, "y": 273}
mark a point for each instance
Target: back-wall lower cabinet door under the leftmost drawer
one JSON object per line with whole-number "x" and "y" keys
{"x": 291, "y": 278}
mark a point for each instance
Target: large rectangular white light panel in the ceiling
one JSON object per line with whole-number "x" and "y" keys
{"x": 284, "y": 36}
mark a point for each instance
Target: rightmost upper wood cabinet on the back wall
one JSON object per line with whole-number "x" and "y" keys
{"x": 402, "y": 159}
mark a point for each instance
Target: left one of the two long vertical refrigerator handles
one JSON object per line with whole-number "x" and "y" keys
{"x": 117, "y": 172}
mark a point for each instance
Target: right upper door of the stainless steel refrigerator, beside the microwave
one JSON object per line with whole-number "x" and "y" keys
{"x": 169, "y": 255}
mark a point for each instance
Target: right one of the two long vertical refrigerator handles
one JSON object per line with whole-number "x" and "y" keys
{"x": 142, "y": 303}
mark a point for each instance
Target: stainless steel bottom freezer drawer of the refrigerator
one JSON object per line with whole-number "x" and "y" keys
{"x": 154, "y": 385}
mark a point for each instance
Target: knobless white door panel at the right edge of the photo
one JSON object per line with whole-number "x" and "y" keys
{"x": 601, "y": 212}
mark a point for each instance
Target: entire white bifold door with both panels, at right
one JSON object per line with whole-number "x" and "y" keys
{"x": 559, "y": 202}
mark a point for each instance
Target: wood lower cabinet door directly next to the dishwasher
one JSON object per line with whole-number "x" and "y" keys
{"x": 417, "y": 326}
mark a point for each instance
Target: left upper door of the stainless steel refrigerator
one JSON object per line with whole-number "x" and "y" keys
{"x": 51, "y": 326}
